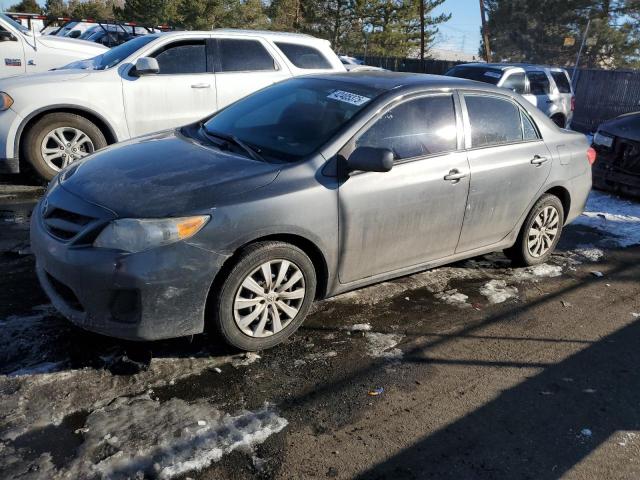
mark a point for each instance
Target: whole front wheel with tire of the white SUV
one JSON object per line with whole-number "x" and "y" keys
{"x": 59, "y": 139}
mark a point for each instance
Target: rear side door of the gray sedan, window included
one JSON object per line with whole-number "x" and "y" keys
{"x": 509, "y": 164}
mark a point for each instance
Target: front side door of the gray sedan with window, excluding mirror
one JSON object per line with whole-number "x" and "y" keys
{"x": 413, "y": 213}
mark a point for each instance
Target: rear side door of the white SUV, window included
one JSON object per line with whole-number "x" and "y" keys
{"x": 243, "y": 66}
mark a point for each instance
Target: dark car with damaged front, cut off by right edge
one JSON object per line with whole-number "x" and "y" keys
{"x": 617, "y": 142}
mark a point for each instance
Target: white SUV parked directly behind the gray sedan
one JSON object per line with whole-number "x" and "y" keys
{"x": 150, "y": 83}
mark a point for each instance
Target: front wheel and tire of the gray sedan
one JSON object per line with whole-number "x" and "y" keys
{"x": 265, "y": 296}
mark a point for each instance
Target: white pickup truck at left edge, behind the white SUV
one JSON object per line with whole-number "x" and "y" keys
{"x": 26, "y": 51}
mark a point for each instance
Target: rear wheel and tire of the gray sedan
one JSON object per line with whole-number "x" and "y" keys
{"x": 539, "y": 234}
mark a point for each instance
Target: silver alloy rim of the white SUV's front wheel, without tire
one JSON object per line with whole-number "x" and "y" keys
{"x": 64, "y": 145}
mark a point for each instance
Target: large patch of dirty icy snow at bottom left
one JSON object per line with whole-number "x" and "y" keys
{"x": 140, "y": 437}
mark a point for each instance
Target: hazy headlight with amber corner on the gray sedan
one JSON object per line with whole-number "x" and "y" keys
{"x": 135, "y": 235}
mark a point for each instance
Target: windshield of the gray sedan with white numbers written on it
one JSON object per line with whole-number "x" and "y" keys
{"x": 290, "y": 120}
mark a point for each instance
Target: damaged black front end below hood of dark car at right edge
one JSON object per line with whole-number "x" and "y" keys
{"x": 617, "y": 168}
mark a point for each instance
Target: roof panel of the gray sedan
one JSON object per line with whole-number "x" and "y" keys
{"x": 386, "y": 80}
